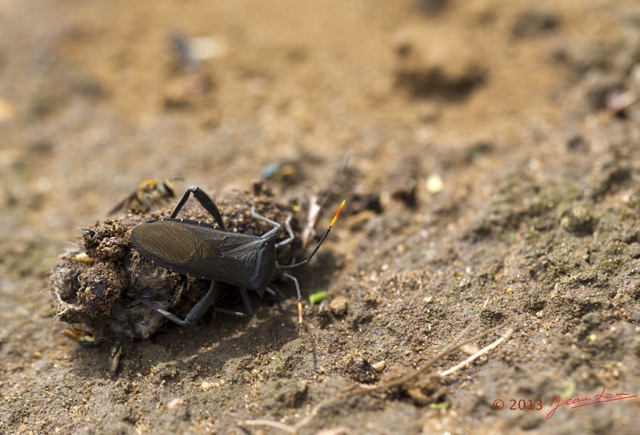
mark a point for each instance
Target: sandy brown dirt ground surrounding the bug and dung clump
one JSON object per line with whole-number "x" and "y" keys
{"x": 494, "y": 152}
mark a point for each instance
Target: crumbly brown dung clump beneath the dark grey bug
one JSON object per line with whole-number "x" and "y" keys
{"x": 97, "y": 287}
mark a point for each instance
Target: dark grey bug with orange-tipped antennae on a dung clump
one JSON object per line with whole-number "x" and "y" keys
{"x": 199, "y": 250}
